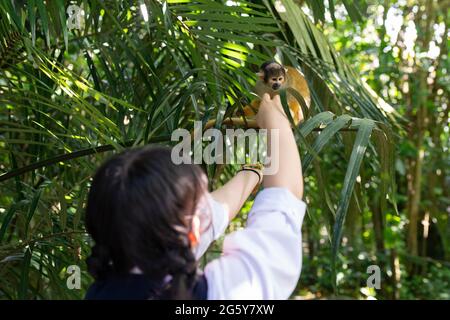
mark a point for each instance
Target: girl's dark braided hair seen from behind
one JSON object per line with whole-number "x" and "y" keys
{"x": 139, "y": 214}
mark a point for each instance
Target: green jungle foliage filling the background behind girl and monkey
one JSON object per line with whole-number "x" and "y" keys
{"x": 81, "y": 80}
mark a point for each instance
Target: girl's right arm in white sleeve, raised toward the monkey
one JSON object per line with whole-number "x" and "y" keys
{"x": 263, "y": 261}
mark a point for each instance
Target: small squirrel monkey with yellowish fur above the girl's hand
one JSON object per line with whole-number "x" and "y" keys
{"x": 272, "y": 78}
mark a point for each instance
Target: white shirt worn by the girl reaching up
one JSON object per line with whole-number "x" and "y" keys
{"x": 262, "y": 261}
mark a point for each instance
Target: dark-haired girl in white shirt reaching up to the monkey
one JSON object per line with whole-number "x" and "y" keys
{"x": 151, "y": 221}
